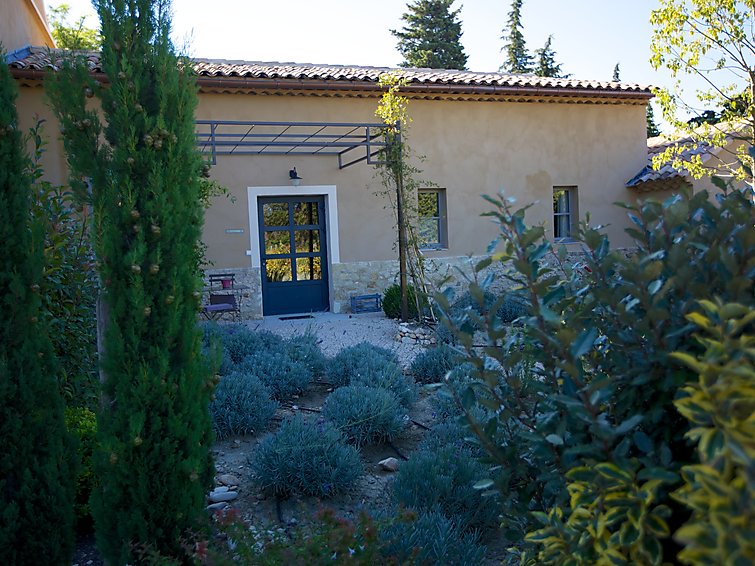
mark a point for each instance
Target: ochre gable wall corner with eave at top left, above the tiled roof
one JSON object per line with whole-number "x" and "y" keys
{"x": 22, "y": 24}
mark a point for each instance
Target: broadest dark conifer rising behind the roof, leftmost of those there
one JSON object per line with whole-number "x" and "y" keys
{"x": 432, "y": 36}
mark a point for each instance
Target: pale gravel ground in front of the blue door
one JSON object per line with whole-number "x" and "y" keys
{"x": 338, "y": 331}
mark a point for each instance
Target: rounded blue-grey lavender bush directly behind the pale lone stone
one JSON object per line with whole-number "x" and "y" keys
{"x": 365, "y": 415}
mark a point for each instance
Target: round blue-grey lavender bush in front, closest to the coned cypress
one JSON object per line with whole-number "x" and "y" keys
{"x": 242, "y": 405}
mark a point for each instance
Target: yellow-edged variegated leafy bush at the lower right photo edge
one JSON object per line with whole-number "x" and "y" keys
{"x": 720, "y": 405}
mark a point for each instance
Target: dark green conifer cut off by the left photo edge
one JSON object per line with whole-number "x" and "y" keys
{"x": 36, "y": 470}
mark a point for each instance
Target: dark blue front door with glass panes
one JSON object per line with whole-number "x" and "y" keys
{"x": 293, "y": 254}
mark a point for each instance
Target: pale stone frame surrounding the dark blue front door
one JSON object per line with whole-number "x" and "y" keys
{"x": 329, "y": 192}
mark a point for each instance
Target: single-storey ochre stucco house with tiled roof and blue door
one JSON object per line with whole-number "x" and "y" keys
{"x": 310, "y": 244}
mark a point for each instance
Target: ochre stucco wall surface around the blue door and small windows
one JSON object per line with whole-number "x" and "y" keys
{"x": 470, "y": 149}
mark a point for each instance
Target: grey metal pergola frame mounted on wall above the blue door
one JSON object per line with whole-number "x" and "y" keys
{"x": 232, "y": 137}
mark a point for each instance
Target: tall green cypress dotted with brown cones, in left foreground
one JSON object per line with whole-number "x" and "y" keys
{"x": 141, "y": 162}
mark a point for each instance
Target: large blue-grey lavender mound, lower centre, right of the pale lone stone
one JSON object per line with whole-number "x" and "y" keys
{"x": 443, "y": 480}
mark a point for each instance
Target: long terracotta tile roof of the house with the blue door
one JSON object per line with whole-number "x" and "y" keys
{"x": 42, "y": 59}
